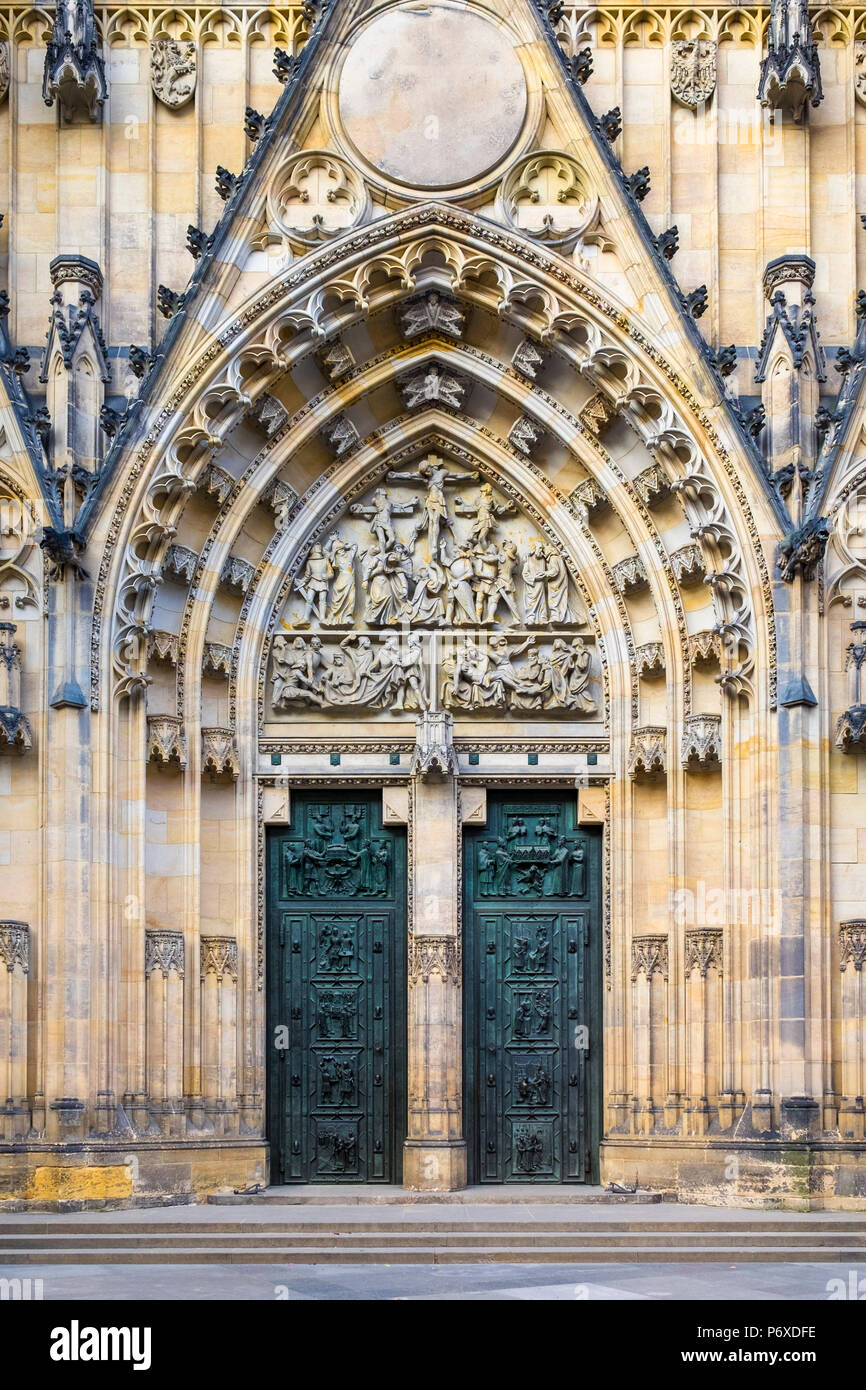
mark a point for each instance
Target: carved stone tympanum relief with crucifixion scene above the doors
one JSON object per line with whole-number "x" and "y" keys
{"x": 434, "y": 593}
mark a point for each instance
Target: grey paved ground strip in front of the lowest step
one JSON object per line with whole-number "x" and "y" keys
{"x": 252, "y": 1284}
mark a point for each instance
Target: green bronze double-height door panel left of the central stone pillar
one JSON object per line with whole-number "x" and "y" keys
{"x": 337, "y": 995}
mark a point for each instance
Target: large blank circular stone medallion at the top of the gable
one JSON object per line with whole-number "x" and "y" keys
{"x": 433, "y": 97}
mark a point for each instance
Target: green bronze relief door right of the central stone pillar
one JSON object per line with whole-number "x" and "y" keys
{"x": 532, "y": 993}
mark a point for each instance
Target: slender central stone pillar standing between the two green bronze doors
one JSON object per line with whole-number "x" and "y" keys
{"x": 434, "y": 1156}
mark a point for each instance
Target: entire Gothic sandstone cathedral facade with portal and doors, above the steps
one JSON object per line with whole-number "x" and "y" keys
{"x": 433, "y": 586}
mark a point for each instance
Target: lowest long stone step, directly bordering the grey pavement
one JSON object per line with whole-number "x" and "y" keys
{"x": 436, "y": 1254}
